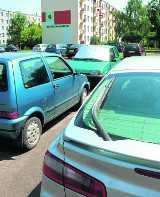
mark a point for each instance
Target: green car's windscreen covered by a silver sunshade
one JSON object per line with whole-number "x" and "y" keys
{"x": 93, "y": 52}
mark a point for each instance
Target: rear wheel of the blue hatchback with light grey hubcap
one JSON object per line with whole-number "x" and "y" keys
{"x": 31, "y": 133}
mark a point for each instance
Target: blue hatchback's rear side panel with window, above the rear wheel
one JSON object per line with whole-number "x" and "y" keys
{"x": 36, "y": 88}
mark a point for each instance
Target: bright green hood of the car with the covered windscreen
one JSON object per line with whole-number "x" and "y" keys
{"x": 87, "y": 66}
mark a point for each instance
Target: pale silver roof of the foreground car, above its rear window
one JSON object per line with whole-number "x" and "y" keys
{"x": 138, "y": 64}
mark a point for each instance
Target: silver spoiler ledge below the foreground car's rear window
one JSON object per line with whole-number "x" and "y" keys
{"x": 147, "y": 153}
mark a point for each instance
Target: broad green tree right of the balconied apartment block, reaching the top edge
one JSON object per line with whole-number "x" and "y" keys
{"x": 133, "y": 23}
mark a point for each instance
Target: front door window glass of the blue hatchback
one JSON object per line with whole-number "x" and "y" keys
{"x": 58, "y": 67}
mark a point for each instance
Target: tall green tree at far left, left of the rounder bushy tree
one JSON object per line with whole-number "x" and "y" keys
{"x": 17, "y": 25}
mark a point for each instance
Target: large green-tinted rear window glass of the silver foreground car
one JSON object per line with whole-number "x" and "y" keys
{"x": 132, "y": 103}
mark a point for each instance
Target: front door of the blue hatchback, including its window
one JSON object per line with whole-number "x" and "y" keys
{"x": 65, "y": 84}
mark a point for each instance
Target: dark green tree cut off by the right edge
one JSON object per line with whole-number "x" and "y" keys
{"x": 154, "y": 17}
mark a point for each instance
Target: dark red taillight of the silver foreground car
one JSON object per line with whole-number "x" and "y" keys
{"x": 72, "y": 178}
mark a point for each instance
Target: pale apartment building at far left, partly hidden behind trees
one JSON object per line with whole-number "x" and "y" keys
{"x": 5, "y": 17}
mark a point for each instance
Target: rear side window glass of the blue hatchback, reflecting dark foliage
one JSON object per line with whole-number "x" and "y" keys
{"x": 33, "y": 72}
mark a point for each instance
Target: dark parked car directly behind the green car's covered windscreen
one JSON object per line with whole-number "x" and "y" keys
{"x": 73, "y": 49}
